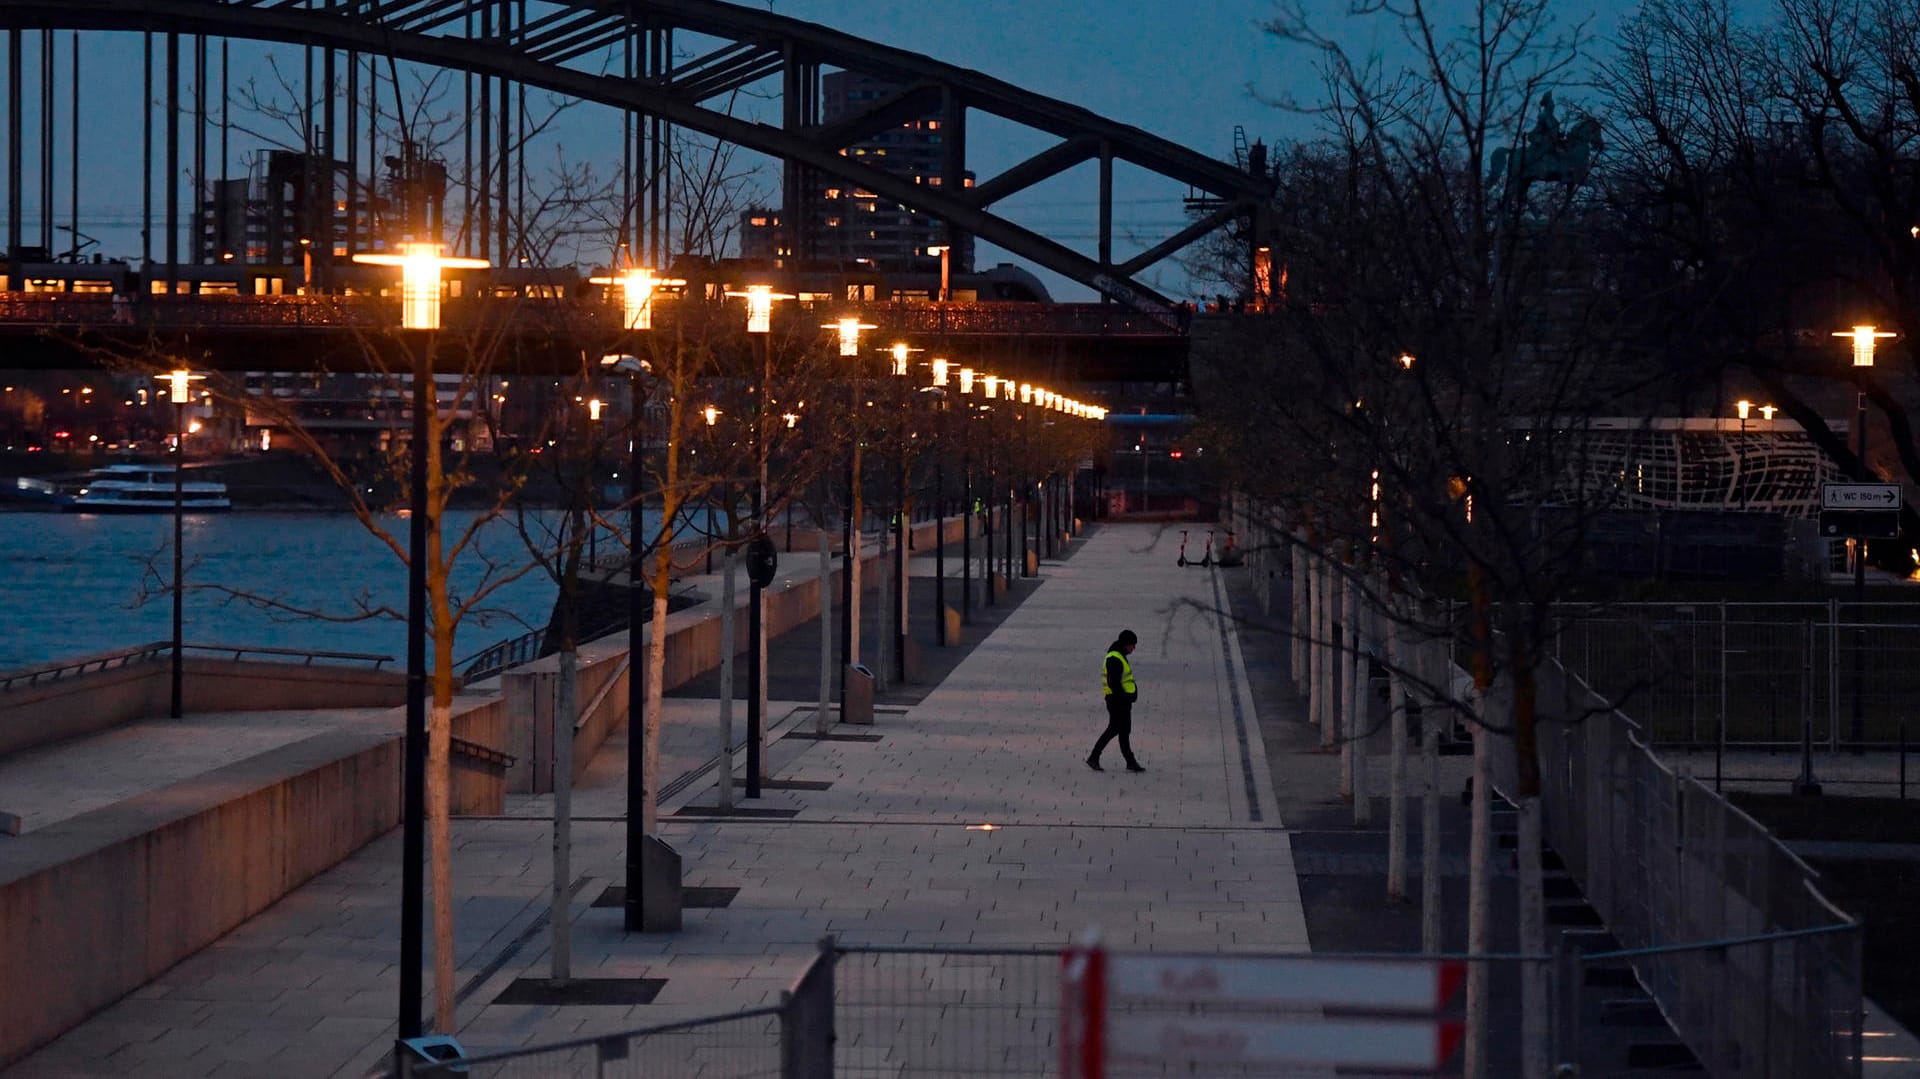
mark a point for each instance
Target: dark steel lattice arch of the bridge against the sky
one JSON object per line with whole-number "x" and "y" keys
{"x": 554, "y": 43}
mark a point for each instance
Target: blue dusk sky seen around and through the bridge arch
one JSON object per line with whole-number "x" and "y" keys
{"x": 1186, "y": 72}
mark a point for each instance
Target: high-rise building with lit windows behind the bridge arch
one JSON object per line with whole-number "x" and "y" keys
{"x": 852, "y": 226}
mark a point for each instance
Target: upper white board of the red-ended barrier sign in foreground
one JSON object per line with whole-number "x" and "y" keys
{"x": 1376, "y": 986}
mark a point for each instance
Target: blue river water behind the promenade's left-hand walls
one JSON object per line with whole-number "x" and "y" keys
{"x": 74, "y": 585}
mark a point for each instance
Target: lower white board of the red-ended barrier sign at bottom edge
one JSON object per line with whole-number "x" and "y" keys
{"x": 1420, "y": 1045}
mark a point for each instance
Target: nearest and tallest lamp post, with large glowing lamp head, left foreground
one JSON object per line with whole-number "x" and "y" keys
{"x": 420, "y": 312}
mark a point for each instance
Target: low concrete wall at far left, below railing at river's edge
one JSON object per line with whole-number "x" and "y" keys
{"x": 87, "y": 704}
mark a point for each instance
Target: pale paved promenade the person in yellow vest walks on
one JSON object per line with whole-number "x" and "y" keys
{"x": 1184, "y": 857}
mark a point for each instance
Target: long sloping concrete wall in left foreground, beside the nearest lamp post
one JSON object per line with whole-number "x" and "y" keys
{"x": 114, "y": 898}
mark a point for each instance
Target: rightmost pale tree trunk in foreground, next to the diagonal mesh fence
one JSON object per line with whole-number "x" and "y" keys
{"x": 1535, "y": 992}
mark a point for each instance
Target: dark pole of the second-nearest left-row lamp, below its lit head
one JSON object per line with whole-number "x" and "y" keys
{"x": 636, "y": 690}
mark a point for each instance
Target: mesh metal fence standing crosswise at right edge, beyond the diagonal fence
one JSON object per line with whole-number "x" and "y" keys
{"x": 1762, "y": 673}
